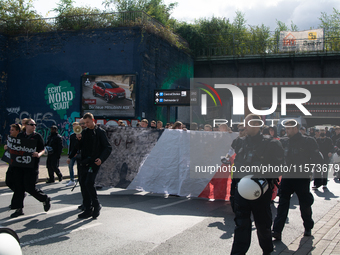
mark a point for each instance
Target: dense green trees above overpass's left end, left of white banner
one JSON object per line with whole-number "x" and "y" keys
{"x": 217, "y": 36}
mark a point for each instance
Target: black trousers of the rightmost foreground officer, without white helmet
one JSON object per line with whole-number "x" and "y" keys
{"x": 302, "y": 189}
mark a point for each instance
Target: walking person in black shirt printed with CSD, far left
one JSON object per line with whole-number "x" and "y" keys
{"x": 27, "y": 168}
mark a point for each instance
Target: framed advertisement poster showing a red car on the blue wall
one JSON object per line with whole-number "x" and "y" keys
{"x": 109, "y": 95}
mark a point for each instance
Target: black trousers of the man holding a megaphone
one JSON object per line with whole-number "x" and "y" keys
{"x": 87, "y": 179}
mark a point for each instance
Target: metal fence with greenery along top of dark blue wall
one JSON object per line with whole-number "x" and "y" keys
{"x": 91, "y": 21}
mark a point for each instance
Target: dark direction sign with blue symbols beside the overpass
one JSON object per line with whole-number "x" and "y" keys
{"x": 172, "y": 97}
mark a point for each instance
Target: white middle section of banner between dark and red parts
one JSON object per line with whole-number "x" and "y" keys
{"x": 167, "y": 167}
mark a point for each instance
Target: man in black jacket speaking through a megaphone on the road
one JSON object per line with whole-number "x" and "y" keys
{"x": 95, "y": 149}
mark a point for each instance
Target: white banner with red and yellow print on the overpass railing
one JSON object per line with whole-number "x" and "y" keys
{"x": 307, "y": 40}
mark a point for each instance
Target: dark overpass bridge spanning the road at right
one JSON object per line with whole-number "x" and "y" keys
{"x": 317, "y": 72}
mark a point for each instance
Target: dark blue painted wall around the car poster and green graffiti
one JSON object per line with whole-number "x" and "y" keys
{"x": 38, "y": 60}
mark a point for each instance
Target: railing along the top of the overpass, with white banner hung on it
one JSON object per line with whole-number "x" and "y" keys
{"x": 237, "y": 48}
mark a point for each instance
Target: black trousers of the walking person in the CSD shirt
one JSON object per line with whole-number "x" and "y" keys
{"x": 26, "y": 179}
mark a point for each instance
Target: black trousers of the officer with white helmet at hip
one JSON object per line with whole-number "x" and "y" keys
{"x": 260, "y": 208}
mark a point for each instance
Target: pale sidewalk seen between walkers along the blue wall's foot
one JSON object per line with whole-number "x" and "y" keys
{"x": 43, "y": 175}
